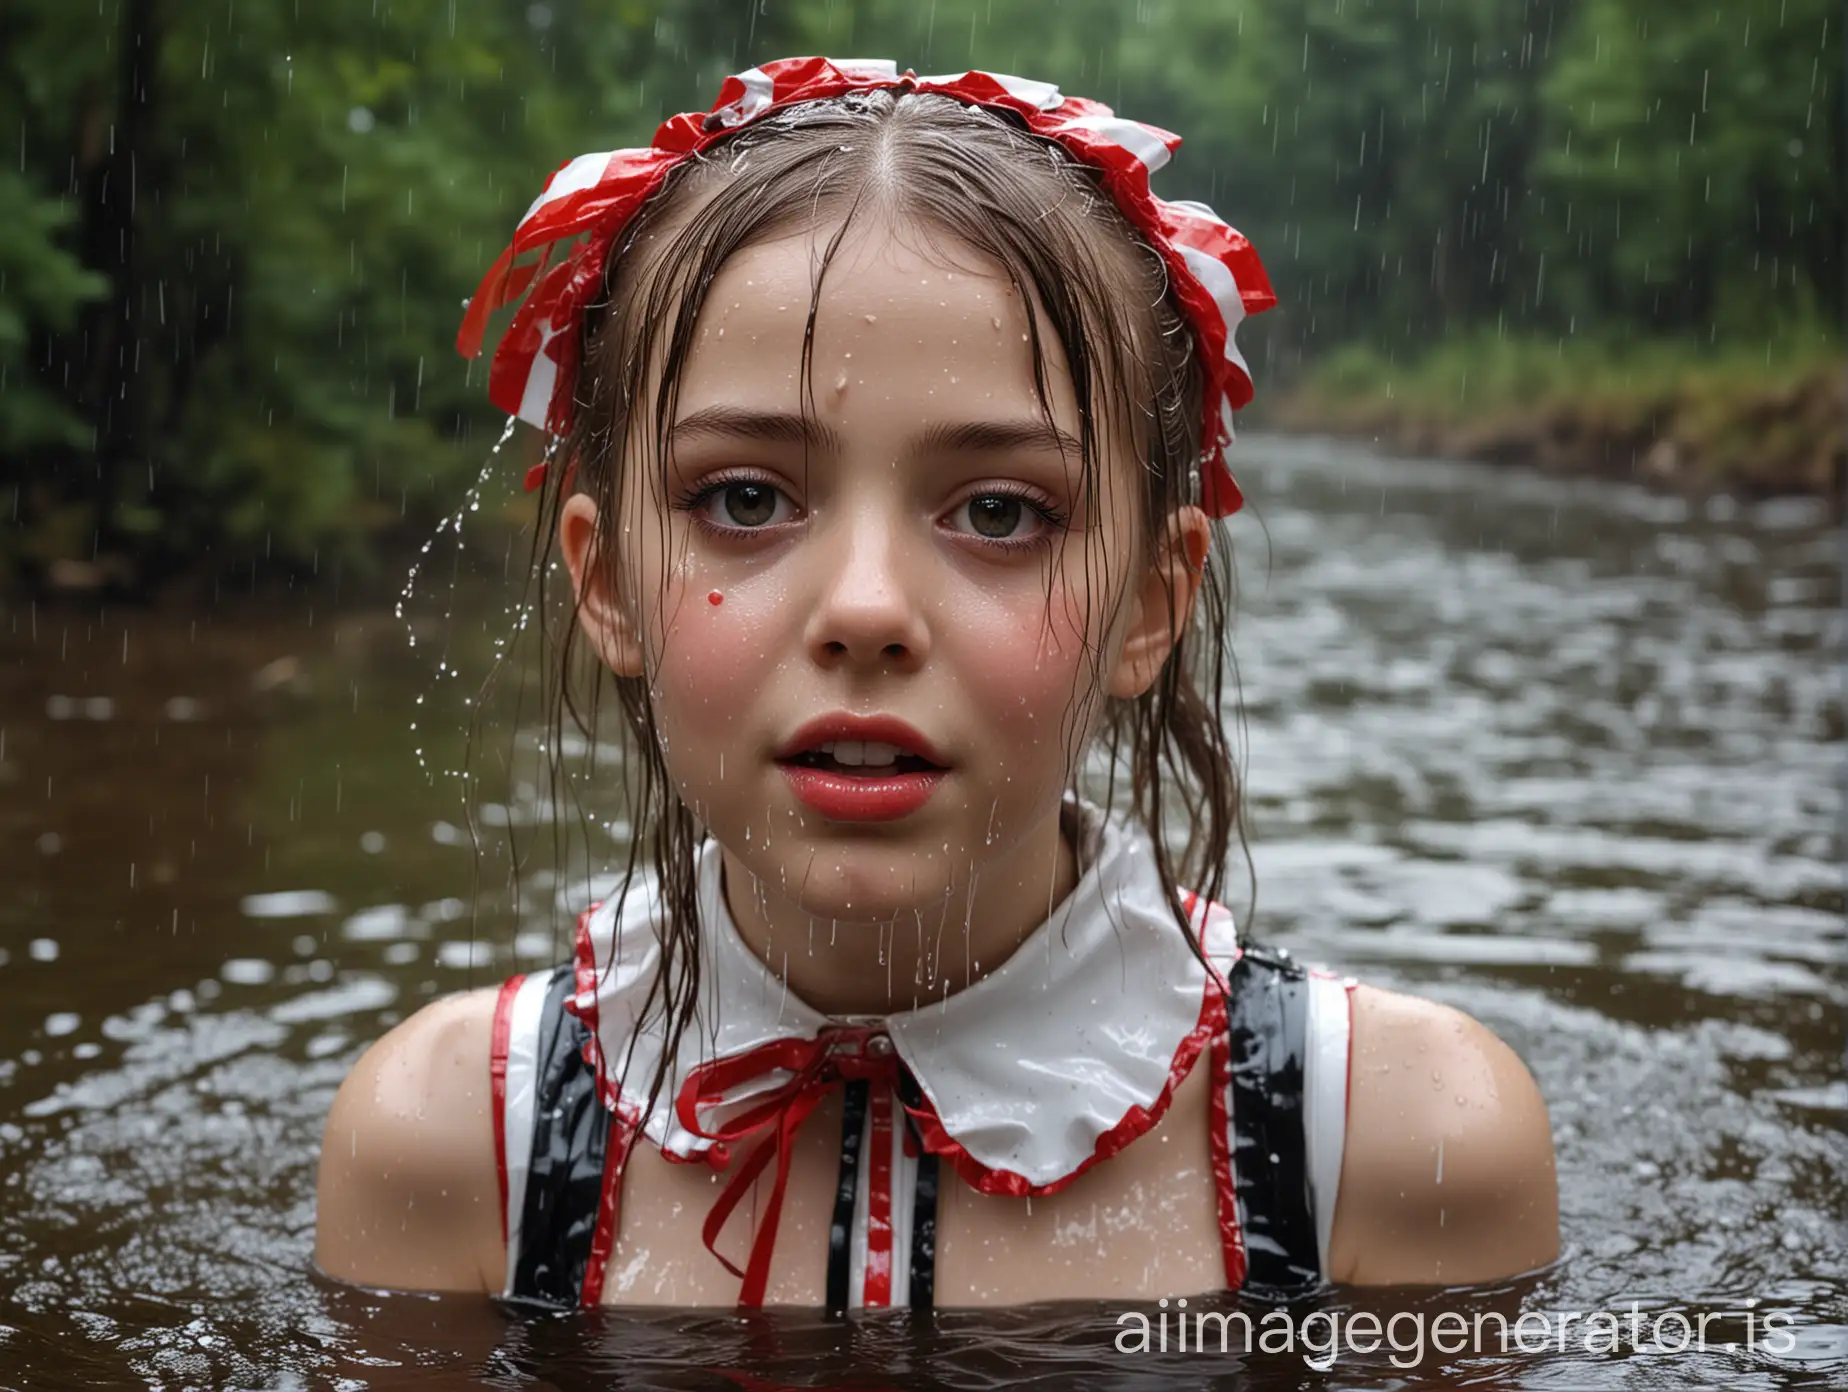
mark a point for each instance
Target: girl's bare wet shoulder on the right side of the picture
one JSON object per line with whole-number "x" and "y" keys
{"x": 1448, "y": 1175}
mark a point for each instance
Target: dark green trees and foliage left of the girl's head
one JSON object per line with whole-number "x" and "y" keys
{"x": 234, "y": 275}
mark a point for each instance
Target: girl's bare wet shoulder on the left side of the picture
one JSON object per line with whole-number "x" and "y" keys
{"x": 409, "y": 1186}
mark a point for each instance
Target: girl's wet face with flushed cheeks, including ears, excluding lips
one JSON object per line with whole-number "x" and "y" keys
{"x": 919, "y": 550}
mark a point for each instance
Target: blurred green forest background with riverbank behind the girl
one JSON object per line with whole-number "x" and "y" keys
{"x": 236, "y": 236}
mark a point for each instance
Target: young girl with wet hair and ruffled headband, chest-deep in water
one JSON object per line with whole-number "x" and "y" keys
{"x": 895, "y": 417}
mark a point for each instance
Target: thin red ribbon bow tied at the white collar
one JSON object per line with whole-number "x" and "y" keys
{"x": 812, "y": 1069}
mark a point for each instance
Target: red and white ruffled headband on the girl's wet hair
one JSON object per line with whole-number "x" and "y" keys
{"x": 1213, "y": 269}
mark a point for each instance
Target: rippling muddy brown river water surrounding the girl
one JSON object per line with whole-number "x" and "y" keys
{"x": 1568, "y": 757}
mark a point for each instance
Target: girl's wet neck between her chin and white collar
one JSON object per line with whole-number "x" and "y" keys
{"x": 929, "y": 953}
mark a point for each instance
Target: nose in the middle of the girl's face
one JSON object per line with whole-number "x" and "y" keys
{"x": 868, "y": 609}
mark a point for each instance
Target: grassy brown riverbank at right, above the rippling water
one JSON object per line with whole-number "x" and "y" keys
{"x": 1660, "y": 415}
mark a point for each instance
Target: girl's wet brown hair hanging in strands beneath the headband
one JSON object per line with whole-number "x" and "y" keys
{"x": 975, "y": 178}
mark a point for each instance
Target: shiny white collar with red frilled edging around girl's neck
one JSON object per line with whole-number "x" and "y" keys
{"x": 1058, "y": 1058}
